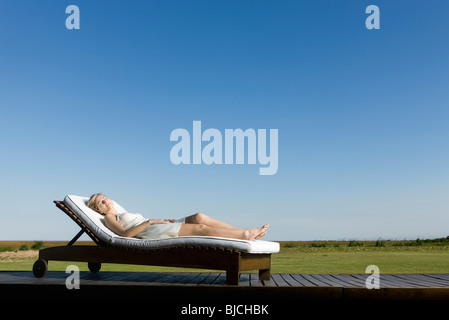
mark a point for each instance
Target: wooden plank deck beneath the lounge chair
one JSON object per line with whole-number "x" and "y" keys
{"x": 211, "y": 286}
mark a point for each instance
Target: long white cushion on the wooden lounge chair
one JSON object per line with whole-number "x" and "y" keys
{"x": 95, "y": 222}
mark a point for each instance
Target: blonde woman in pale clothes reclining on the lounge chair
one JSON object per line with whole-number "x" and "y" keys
{"x": 134, "y": 225}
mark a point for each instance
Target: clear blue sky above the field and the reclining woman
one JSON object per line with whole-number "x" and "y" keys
{"x": 362, "y": 114}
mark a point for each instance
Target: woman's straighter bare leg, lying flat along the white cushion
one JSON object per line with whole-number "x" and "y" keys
{"x": 189, "y": 229}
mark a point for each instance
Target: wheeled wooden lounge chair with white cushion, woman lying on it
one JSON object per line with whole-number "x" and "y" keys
{"x": 214, "y": 253}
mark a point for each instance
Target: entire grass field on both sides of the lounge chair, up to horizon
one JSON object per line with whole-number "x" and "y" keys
{"x": 419, "y": 256}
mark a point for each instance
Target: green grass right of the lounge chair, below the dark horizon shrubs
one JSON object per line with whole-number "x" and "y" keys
{"x": 400, "y": 259}
